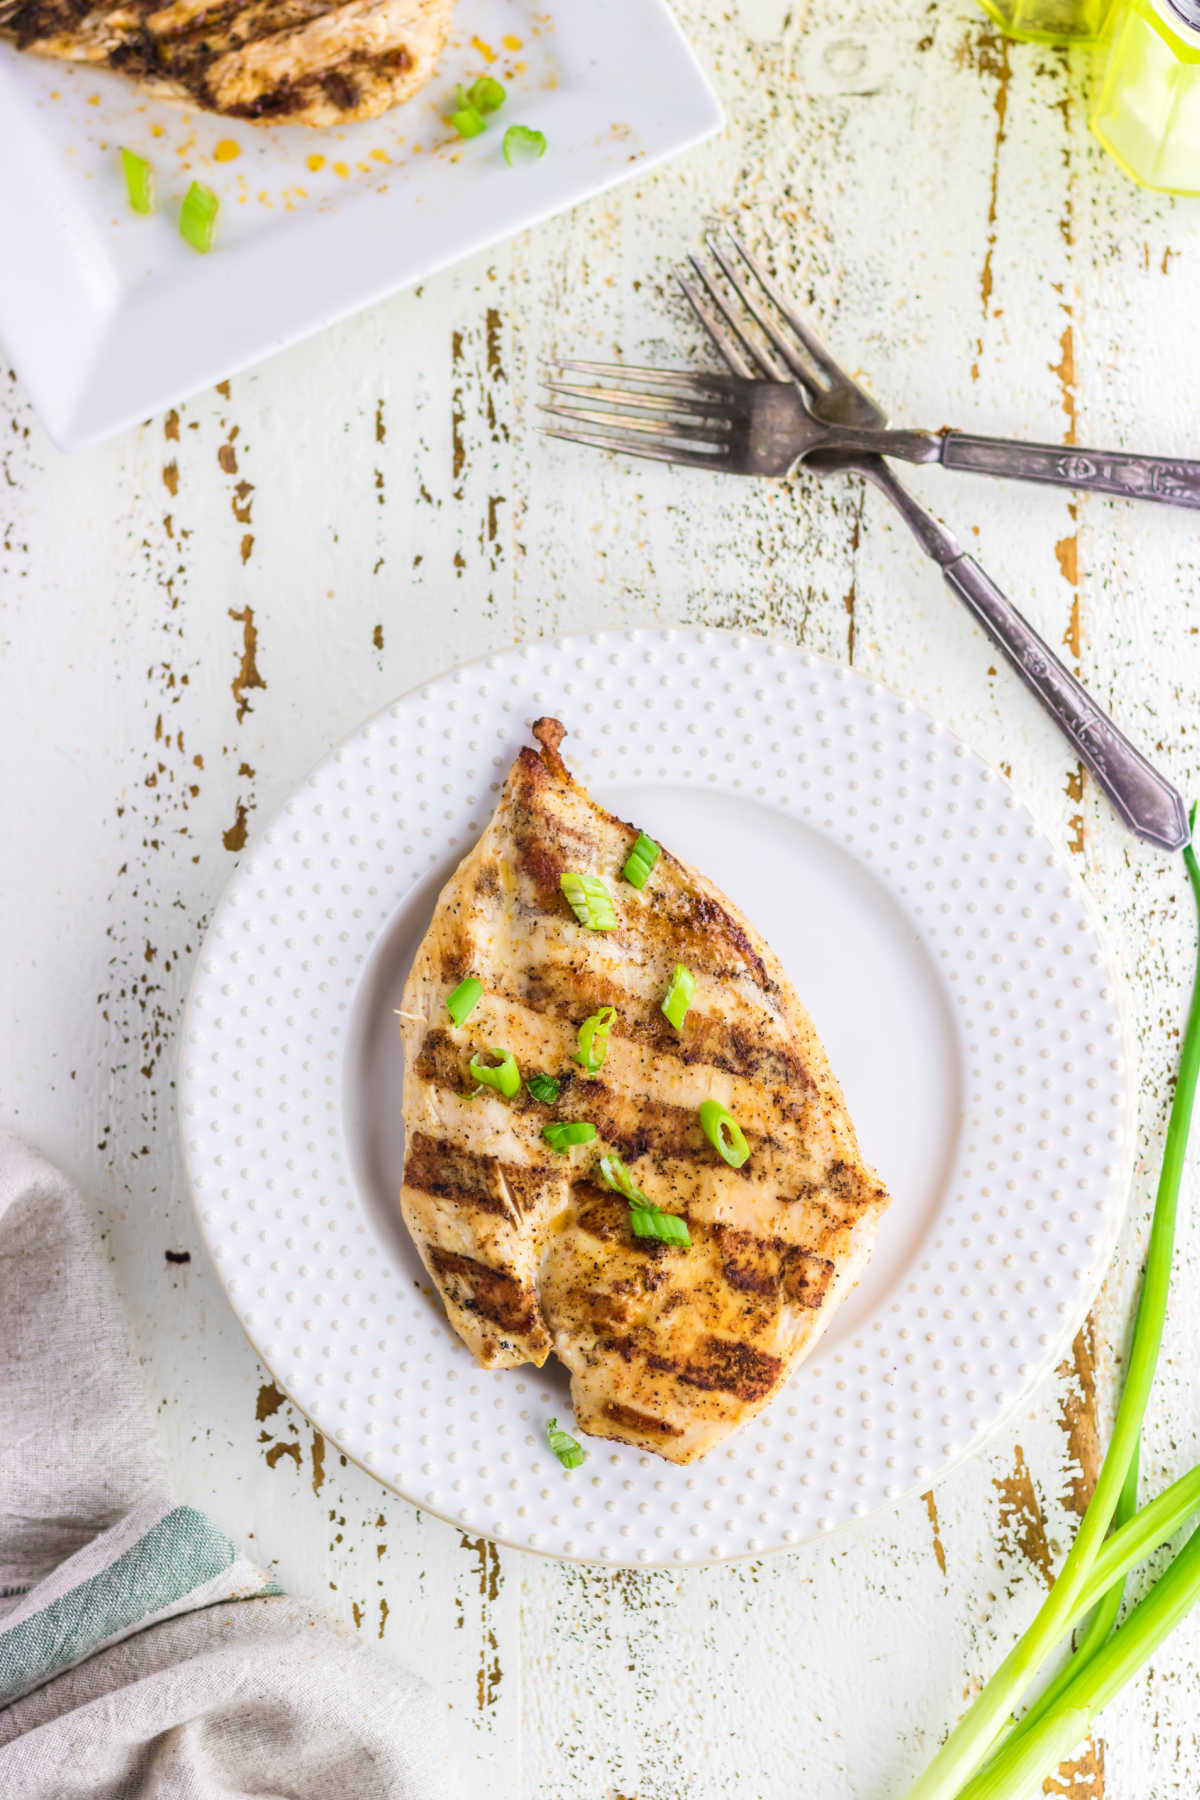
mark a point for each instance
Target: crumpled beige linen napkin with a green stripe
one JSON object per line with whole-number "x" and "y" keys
{"x": 139, "y": 1651}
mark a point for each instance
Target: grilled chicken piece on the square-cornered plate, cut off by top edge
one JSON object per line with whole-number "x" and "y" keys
{"x": 296, "y": 62}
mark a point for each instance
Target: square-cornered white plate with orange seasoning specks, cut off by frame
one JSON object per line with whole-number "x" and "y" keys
{"x": 111, "y": 318}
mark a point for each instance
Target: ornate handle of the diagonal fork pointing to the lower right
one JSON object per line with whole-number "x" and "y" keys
{"x": 1145, "y": 800}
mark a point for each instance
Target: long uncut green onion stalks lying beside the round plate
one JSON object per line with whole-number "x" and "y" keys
{"x": 1062, "y": 1718}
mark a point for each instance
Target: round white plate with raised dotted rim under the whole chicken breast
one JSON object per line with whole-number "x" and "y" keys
{"x": 951, "y": 967}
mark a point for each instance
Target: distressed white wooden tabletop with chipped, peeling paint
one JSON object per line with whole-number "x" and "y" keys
{"x": 193, "y": 615}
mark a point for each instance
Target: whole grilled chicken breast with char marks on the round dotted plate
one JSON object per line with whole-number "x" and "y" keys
{"x": 668, "y": 1347}
